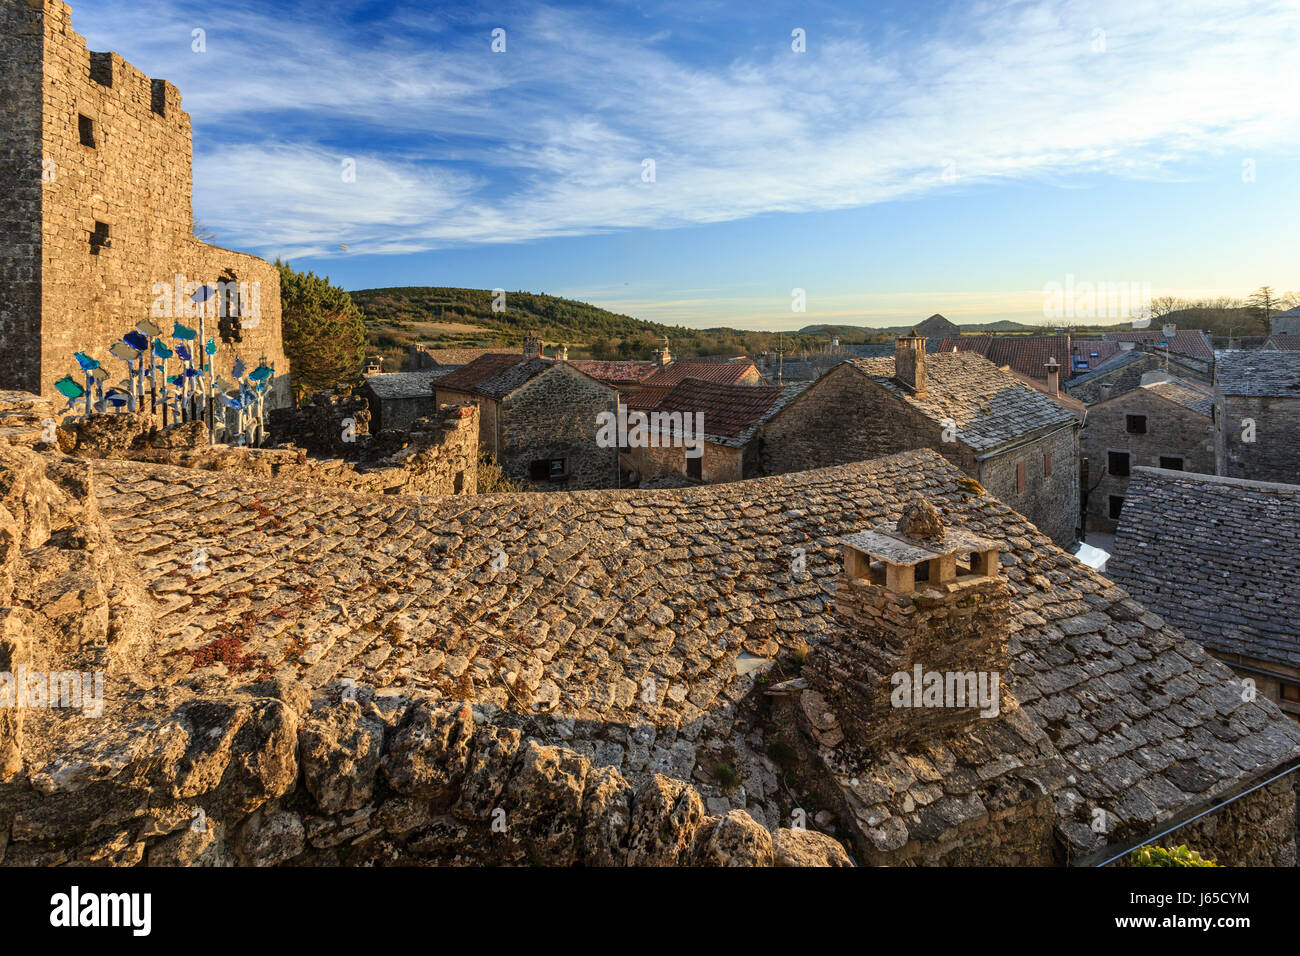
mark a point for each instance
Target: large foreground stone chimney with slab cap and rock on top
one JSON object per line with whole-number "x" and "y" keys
{"x": 924, "y": 618}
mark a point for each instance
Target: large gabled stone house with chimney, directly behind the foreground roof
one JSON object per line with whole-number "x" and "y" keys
{"x": 1013, "y": 440}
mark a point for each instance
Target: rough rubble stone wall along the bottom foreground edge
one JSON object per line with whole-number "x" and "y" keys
{"x": 263, "y": 777}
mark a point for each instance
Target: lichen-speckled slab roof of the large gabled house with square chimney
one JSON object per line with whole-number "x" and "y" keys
{"x": 990, "y": 408}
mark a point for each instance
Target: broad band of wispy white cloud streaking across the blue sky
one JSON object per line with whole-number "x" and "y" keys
{"x": 457, "y": 145}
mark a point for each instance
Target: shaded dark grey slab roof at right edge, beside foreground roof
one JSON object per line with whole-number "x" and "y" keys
{"x": 1217, "y": 557}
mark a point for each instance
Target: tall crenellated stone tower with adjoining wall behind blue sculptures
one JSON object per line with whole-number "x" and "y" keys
{"x": 97, "y": 219}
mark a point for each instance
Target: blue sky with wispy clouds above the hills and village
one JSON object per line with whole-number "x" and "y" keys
{"x": 746, "y": 165}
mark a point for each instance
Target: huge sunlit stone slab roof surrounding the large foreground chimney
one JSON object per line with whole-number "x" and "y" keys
{"x": 604, "y": 591}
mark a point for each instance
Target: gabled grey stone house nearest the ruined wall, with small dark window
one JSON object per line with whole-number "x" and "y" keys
{"x": 539, "y": 418}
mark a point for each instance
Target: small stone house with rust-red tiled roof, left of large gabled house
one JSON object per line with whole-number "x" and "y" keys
{"x": 731, "y": 417}
